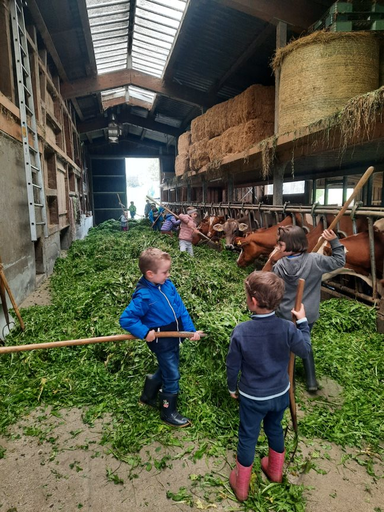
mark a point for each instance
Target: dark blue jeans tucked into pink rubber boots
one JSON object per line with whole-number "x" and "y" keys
{"x": 252, "y": 413}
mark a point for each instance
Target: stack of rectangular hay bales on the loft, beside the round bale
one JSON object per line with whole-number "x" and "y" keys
{"x": 230, "y": 127}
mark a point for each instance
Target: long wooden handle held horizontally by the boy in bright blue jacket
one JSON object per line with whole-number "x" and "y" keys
{"x": 90, "y": 341}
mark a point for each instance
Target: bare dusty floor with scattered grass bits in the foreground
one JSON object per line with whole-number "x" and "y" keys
{"x": 53, "y": 462}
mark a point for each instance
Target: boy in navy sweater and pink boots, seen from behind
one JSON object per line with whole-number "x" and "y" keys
{"x": 259, "y": 351}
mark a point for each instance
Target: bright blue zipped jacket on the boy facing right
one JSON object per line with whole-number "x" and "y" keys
{"x": 156, "y": 307}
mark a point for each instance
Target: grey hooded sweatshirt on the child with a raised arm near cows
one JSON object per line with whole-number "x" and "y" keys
{"x": 311, "y": 267}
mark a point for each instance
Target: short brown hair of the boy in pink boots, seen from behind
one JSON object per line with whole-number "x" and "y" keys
{"x": 266, "y": 287}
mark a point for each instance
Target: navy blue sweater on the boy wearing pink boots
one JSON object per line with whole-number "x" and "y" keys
{"x": 260, "y": 349}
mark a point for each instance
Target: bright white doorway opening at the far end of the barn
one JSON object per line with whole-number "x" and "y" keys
{"x": 143, "y": 178}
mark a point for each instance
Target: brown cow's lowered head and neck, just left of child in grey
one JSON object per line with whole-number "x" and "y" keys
{"x": 258, "y": 243}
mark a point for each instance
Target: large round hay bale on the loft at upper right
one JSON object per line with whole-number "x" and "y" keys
{"x": 321, "y": 72}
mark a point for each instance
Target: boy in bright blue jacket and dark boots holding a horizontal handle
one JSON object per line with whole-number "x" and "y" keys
{"x": 156, "y": 306}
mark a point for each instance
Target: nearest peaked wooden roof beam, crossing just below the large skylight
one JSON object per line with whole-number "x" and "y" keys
{"x": 122, "y": 78}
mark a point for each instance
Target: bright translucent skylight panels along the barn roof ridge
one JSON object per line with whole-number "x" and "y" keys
{"x": 154, "y": 30}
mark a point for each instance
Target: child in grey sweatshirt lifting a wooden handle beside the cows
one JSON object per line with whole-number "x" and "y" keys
{"x": 297, "y": 263}
